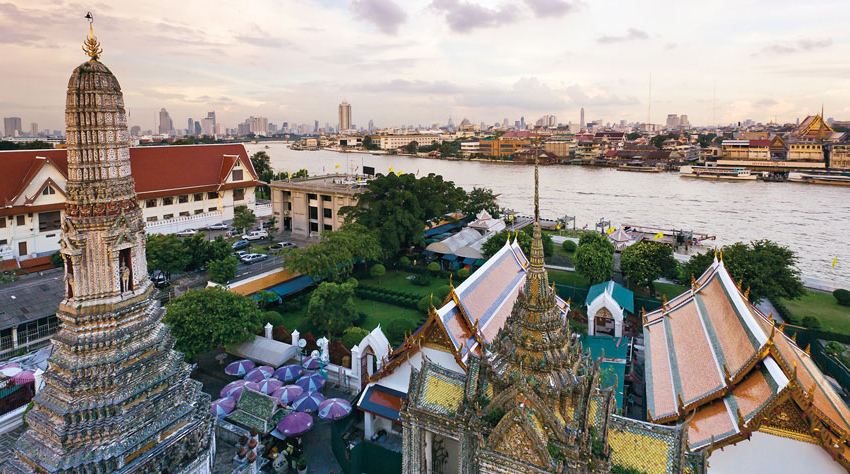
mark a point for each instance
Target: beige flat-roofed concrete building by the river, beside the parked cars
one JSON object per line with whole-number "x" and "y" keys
{"x": 310, "y": 206}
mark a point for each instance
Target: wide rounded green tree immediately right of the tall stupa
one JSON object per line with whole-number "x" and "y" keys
{"x": 203, "y": 320}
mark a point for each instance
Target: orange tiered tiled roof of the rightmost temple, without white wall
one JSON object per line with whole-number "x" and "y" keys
{"x": 714, "y": 358}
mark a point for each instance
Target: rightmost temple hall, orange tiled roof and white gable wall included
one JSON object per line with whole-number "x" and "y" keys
{"x": 750, "y": 398}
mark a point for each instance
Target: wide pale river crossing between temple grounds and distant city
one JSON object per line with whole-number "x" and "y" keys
{"x": 810, "y": 219}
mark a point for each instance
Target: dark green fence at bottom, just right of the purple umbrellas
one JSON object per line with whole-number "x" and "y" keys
{"x": 366, "y": 457}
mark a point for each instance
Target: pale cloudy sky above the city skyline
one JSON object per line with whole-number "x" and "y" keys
{"x": 422, "y": 61}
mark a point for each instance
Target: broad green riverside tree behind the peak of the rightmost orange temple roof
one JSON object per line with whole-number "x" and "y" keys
{"x": 765, "y": 267}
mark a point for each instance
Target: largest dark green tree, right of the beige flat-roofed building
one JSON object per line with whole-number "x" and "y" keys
{"x": 398, "y": 208}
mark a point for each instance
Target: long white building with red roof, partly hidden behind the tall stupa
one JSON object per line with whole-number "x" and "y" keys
{"x": 177, "y": 186}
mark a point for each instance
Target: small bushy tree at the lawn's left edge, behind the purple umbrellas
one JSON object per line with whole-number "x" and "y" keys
{"x": 331, "y": 307}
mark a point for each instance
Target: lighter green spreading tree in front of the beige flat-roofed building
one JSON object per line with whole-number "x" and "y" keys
{"x": 335, "y": 255}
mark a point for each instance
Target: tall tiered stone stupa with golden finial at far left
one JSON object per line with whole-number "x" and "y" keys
{"x": 116, "y": 396}
